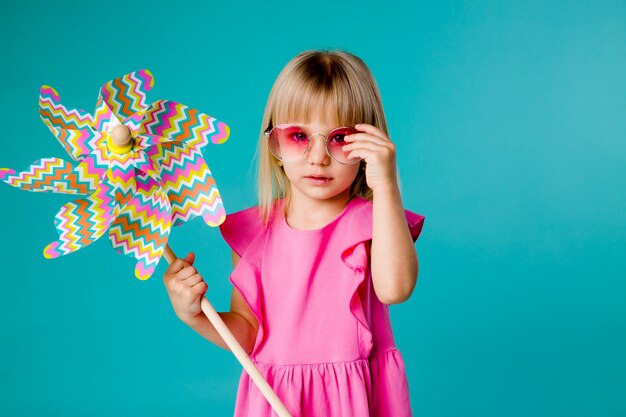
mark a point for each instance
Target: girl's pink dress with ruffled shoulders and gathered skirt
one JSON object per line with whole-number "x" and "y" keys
{"x": 325, "y": 342}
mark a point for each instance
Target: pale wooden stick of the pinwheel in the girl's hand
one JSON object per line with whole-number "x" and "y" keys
{"x": 237, "y": 350}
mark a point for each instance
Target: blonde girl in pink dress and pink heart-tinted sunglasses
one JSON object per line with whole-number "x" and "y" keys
{"x": 327, "y": 249}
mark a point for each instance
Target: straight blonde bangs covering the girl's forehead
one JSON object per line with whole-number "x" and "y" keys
{"x": 321, "y": 88}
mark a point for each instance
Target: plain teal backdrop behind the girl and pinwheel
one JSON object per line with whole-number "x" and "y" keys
{"x": 509, "y": 119}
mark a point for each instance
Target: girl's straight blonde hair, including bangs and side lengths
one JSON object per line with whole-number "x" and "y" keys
{"x": 335, "y": 79}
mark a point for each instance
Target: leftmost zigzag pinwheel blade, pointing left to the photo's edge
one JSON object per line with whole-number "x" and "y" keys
{"x": 48, "y": 174}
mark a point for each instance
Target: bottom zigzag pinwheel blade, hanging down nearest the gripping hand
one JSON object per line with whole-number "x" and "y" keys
{"x": 142, "y": 228}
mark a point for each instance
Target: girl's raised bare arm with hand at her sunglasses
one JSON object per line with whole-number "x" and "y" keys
{"x": 393, "y": 256}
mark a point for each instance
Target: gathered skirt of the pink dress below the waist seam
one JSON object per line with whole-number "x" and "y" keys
{"x": 374, "y": 387}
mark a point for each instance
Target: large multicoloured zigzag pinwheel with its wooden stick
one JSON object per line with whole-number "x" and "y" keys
{"x": 142, "y": 169}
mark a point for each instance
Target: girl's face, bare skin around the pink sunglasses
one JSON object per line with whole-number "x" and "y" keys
{"x": 316, "y": 175}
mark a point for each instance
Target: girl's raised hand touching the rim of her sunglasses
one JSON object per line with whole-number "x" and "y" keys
{"x": 378, "y": 152}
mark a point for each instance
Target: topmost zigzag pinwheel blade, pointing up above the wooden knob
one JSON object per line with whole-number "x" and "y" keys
{"x": 127, "y": 94}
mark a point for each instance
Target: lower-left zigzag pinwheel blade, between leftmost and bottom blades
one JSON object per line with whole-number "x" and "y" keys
{"x": 82, "y": 222}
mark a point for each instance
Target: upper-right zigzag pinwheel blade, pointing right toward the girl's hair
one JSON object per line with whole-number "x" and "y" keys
{"x": 180, "y": 123}
